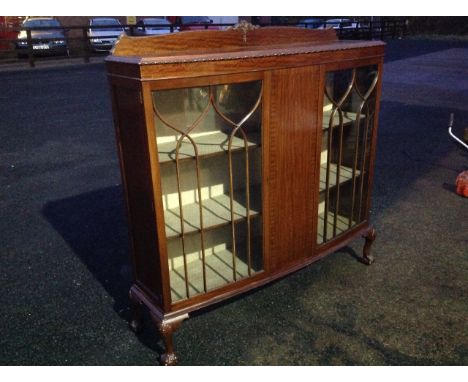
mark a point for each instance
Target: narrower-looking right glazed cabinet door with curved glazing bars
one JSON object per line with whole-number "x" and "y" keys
{"x": 346, "y": 155}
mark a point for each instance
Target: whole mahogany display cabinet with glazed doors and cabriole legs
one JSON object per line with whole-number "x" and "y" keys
{"x": 246, "y": 154}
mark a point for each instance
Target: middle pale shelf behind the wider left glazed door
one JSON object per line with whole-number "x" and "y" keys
{"x": 216, "y": 213}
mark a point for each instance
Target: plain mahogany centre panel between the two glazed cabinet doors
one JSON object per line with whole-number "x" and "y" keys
{"x": 291, "y": 169}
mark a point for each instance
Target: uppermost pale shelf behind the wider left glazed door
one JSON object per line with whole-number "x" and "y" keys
{"x": 208, "y": 144}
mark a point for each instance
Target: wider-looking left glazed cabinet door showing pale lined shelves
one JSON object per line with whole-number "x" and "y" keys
{"x": 209, "y": 144}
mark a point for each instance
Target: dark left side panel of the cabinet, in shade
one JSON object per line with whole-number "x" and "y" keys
{"x": 136, "y": 175}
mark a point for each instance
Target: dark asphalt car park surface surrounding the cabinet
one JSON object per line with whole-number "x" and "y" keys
{"x": 64, "y": 272}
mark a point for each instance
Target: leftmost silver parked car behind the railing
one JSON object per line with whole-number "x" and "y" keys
{"x": 44, "y": 41}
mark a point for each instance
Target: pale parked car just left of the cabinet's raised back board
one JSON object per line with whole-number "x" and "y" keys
{"x": 103, "y": 33}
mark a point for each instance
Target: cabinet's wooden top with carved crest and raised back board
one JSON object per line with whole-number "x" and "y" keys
{"x": 264, "y": 48}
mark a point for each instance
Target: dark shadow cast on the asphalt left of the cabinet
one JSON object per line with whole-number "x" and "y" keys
{"x": 93, "y": 224}
